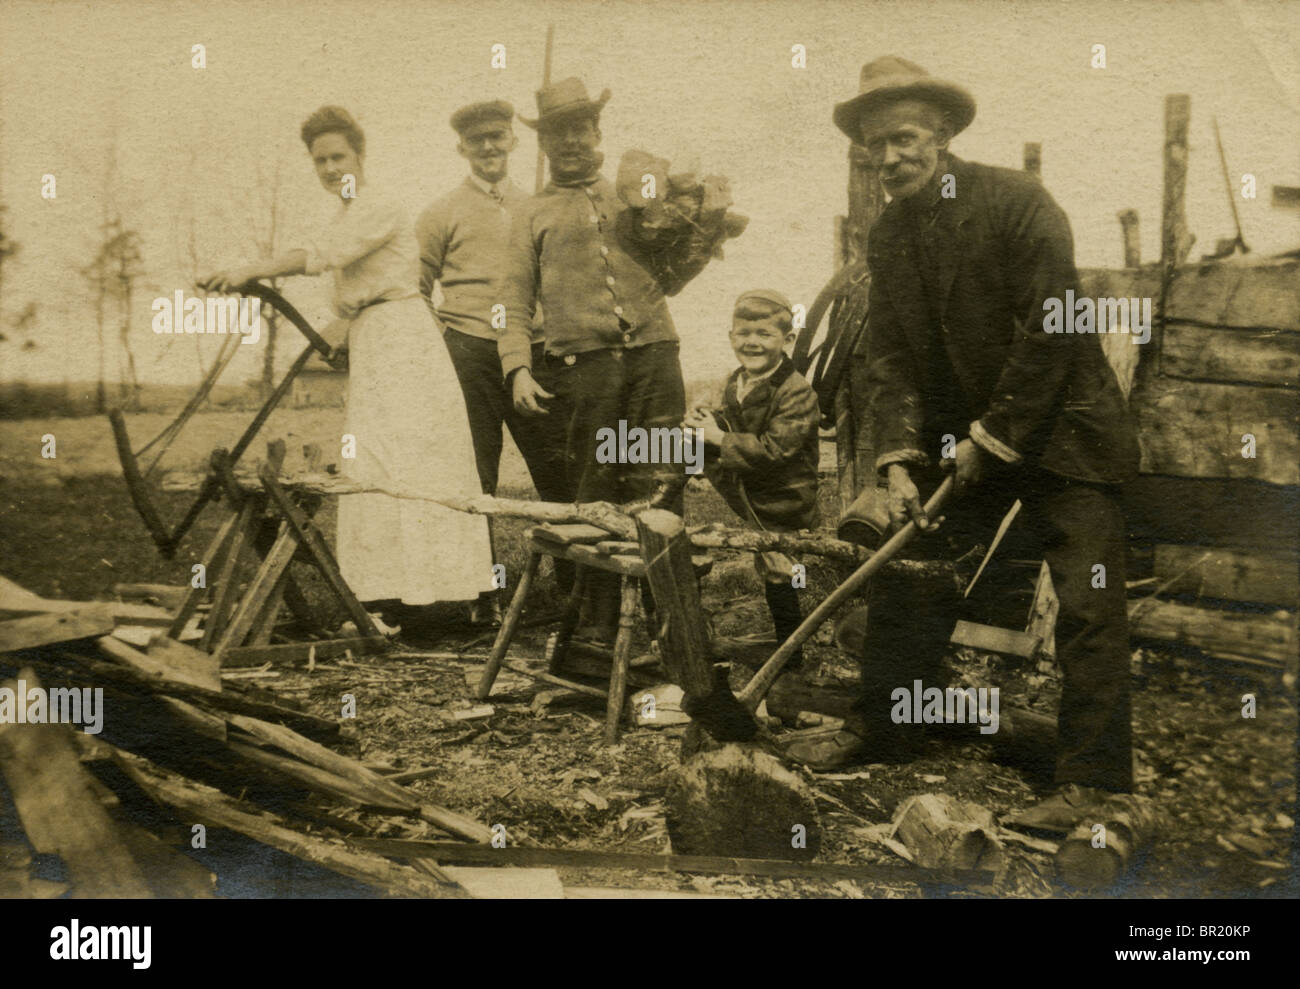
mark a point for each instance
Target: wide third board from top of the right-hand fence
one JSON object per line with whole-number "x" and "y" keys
{"x": 1194, "y": 430}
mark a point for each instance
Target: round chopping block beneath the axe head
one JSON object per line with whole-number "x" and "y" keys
{"x": 742, "y": 803}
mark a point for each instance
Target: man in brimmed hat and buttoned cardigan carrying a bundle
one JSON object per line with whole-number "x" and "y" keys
{"x": 612, "y": 348}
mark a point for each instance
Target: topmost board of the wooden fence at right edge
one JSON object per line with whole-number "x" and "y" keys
{"x": 1264, "y": 294}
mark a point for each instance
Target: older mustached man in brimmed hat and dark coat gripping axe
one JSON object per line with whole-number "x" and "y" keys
{"x": 965, "y": 378}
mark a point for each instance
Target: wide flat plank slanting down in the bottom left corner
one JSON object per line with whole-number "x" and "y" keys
{"x": 59, "y": 812}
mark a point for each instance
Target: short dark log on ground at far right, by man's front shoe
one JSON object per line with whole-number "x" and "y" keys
{"x": 1099, "y": 853}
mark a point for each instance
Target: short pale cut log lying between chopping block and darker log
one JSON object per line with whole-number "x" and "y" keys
{"x": 943, "y": 832}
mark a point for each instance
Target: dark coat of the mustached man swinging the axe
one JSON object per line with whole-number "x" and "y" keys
{"x": 1002, "y": 248}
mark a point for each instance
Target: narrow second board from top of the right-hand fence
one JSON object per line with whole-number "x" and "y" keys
{"x": 1232, "y": 355}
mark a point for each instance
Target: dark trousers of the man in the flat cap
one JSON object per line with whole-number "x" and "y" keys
{"x": 488, "y": 404}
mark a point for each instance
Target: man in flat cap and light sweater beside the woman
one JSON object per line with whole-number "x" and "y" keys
{"x": 463, "y": 238}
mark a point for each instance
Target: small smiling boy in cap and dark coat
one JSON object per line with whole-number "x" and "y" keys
{"x": 761, "y": 448}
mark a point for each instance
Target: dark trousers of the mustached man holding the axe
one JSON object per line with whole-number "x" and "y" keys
{"x": 1074, "y": 527}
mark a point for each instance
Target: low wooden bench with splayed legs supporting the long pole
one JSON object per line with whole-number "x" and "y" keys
{"x": 590, "y": 548}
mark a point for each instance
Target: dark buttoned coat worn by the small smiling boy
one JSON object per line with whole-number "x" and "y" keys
{"x": 772, "y": 450}
